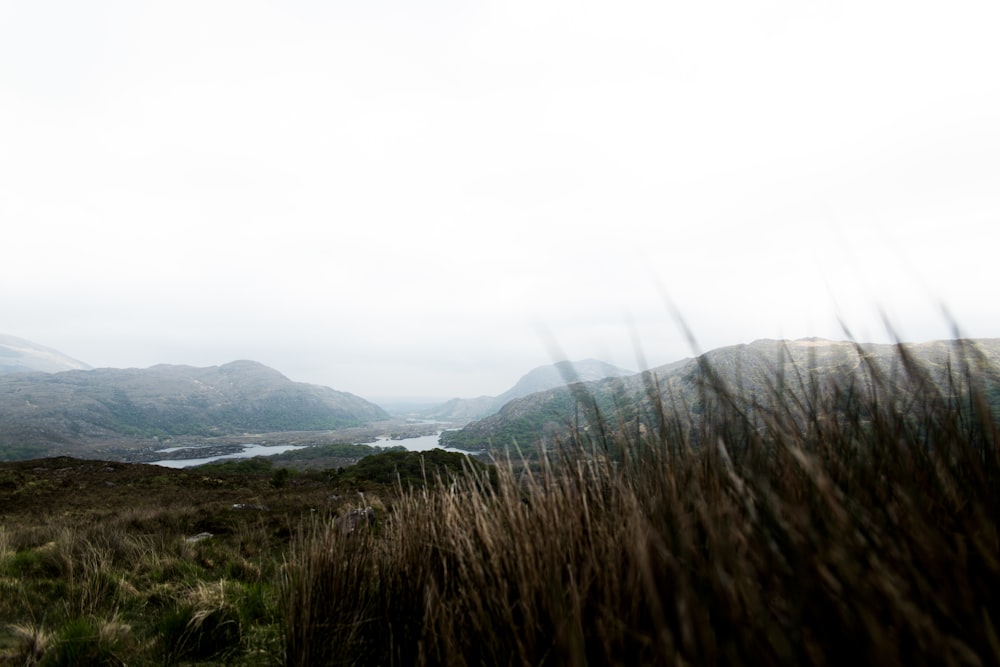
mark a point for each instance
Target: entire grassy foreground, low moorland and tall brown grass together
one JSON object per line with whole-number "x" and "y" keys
{"x": 852, "y": 519}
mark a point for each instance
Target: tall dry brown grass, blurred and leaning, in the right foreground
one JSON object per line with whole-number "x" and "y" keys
{"x": 834, "y": 521}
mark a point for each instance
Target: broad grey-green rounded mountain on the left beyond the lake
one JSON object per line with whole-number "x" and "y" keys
{"x": 61, "y": 413}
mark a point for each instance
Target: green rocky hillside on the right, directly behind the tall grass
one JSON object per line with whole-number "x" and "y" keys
{"x": 755, "y": 378}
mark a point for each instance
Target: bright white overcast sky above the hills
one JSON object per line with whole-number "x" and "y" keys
{"x": 403, "y": 198}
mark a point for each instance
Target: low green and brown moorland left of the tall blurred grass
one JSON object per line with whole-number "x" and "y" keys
{"x": 111, "y": 564}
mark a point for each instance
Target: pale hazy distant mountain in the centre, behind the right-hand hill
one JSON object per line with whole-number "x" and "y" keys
{"x": 464, "y": 410}
